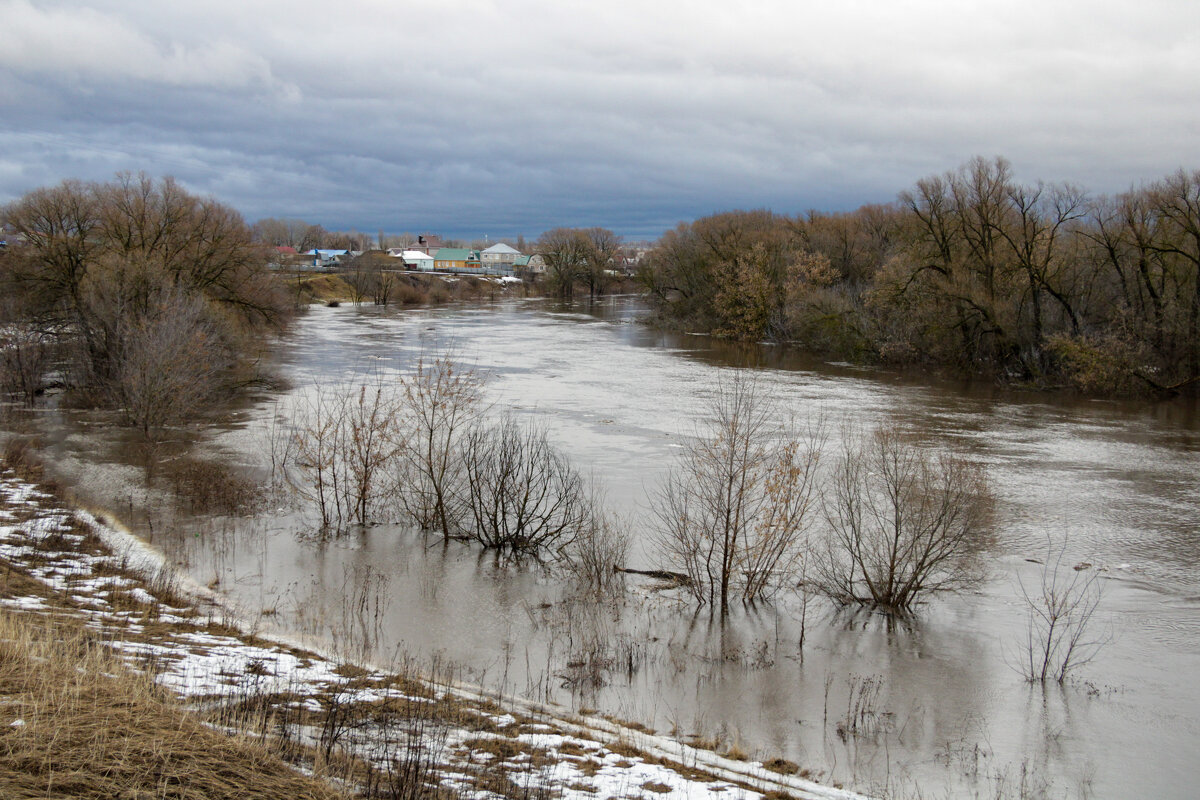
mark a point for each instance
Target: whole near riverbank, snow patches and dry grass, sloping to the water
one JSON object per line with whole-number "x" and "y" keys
{"x": 76, "y": 584}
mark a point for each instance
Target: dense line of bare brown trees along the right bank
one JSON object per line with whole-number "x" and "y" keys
{"x": 1035, "y": 284}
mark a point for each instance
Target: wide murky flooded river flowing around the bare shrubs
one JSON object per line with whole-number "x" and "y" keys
{"x": 940, "y": 707}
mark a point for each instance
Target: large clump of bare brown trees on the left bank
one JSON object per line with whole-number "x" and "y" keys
{"x": 145, "y": 298}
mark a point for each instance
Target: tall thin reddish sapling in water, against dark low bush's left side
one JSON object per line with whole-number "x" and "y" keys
{"x": 441, "y": 401}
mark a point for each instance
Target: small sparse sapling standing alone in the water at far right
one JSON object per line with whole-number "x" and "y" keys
{"x": 1061, "y": 612}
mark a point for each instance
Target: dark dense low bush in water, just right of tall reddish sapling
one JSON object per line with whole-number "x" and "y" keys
{"x": 525, "y": 497}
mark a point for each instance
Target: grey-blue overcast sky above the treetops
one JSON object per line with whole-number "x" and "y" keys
{"x": 507, "y": 117}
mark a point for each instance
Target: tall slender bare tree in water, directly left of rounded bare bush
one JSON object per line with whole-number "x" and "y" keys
{"x": 735, "y": 513}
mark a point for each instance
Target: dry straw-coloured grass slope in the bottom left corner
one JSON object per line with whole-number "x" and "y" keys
{"x": 91, "y": 729}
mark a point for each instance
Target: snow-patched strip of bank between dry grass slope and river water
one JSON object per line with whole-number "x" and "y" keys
{"x": 195, "y": 646}
